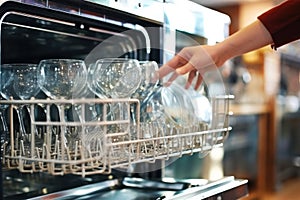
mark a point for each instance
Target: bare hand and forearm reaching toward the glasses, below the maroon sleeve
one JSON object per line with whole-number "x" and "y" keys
{"x": 196, "y": 60}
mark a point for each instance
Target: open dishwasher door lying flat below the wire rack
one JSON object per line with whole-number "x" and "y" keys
{"x": 138, "y": 188}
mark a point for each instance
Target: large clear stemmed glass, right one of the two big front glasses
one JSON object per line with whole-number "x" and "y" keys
{"x": 116, "y": 78}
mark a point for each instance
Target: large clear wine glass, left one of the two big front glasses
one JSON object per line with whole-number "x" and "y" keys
{"x": 60, "y": 79}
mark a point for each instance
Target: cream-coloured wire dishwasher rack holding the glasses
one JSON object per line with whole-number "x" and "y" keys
{"x": 91, "y": 145}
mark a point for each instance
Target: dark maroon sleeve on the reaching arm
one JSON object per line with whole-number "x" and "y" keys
{"x": 283, "y": 22}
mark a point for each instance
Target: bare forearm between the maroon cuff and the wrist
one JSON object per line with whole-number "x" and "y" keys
{"x": 247, "y": 39}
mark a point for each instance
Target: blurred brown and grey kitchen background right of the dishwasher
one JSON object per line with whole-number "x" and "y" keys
{"x": 264, "y": 145}
